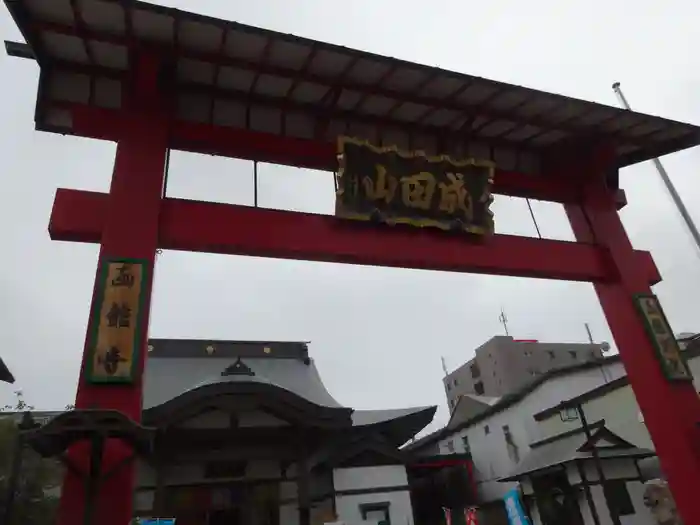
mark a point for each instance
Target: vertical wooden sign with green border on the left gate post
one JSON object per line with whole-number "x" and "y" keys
{"x": 116, "y": 325}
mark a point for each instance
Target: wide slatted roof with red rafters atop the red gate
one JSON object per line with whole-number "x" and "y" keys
{"x": 233, "y": 75}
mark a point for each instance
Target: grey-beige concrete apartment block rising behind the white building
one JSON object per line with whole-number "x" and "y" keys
{"x": 503, "y": 365}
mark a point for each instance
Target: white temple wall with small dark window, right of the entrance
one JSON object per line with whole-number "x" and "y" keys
{"x": 359, "y": 478}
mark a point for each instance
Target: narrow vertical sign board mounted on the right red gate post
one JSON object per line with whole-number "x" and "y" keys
{"x": 673, "y": 365}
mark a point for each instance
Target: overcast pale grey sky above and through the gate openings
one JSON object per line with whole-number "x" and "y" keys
{"x": 392, "y": 356}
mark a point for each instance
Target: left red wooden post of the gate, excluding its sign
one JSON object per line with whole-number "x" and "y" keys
{"x": 130, "y": 231}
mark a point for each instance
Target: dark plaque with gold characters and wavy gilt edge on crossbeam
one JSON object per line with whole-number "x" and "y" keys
{"x": 395, "y": 187}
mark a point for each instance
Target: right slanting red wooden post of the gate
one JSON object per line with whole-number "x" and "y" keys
{"x": 671, "y": 410}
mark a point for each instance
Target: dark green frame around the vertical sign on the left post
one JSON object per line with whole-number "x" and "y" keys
{"x": 135, "y": 320}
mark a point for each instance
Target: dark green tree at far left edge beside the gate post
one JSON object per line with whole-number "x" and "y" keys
{"x": 38, "y": 485}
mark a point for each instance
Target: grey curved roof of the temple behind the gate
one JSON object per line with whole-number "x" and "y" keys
{"x": 179, "y": 371}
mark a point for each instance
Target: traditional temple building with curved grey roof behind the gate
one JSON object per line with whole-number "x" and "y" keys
{"x": 248, "y": 433}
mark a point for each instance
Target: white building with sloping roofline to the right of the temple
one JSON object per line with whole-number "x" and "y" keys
{"x": 527, "y": 429}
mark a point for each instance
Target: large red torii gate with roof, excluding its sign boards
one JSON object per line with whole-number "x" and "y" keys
{"x": 152, "y": 79}
